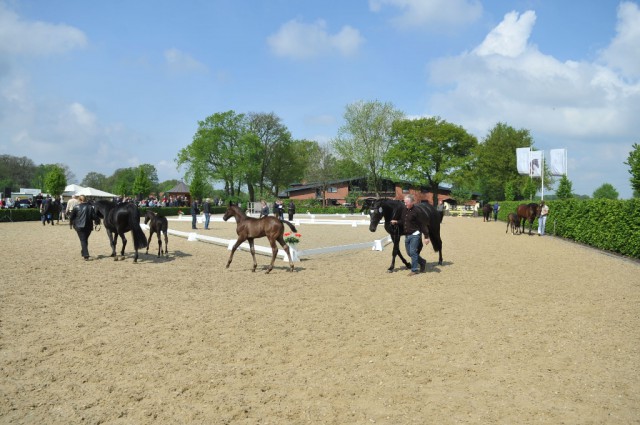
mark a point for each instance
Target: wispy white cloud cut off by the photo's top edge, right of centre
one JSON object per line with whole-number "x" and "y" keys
{"x": 431, "y": 13}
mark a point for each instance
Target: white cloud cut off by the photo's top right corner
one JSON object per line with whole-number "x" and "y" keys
{"x": 624, "y": 51}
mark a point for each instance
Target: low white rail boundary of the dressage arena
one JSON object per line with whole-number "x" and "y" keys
{"x": 375, "y": 245}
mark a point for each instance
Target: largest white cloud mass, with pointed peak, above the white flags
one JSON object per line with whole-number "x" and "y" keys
{"x": 591, "y": 108}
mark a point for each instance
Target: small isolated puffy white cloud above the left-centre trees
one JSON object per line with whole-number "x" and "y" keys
{"x": 299, "y": 40}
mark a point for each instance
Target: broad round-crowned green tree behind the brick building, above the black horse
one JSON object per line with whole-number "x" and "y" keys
{"x": 429, "y": 151}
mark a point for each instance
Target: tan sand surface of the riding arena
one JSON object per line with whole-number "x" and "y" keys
{"x": 509, "y": 330}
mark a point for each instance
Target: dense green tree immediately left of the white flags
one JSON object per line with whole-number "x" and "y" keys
{"x": 496, "y": 161}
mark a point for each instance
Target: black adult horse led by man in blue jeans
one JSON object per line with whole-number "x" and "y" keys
{"x": 390, "y": 209}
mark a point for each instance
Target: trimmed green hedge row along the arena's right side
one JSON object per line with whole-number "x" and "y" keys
{"x": 612, "y": 225}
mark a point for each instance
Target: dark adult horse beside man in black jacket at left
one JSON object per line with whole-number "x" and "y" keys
{"x": 119, "y": 219}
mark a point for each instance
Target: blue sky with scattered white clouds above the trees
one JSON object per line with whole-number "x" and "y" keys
{"x": 105, "y": 85}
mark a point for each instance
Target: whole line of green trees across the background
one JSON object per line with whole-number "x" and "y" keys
{"x": 253, "y": 156}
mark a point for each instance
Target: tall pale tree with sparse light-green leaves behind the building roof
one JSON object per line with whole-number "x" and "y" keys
{"x": 366, "y": 137}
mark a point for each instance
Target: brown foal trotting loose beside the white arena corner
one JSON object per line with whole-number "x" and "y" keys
{"x": 249, "y": 228}
